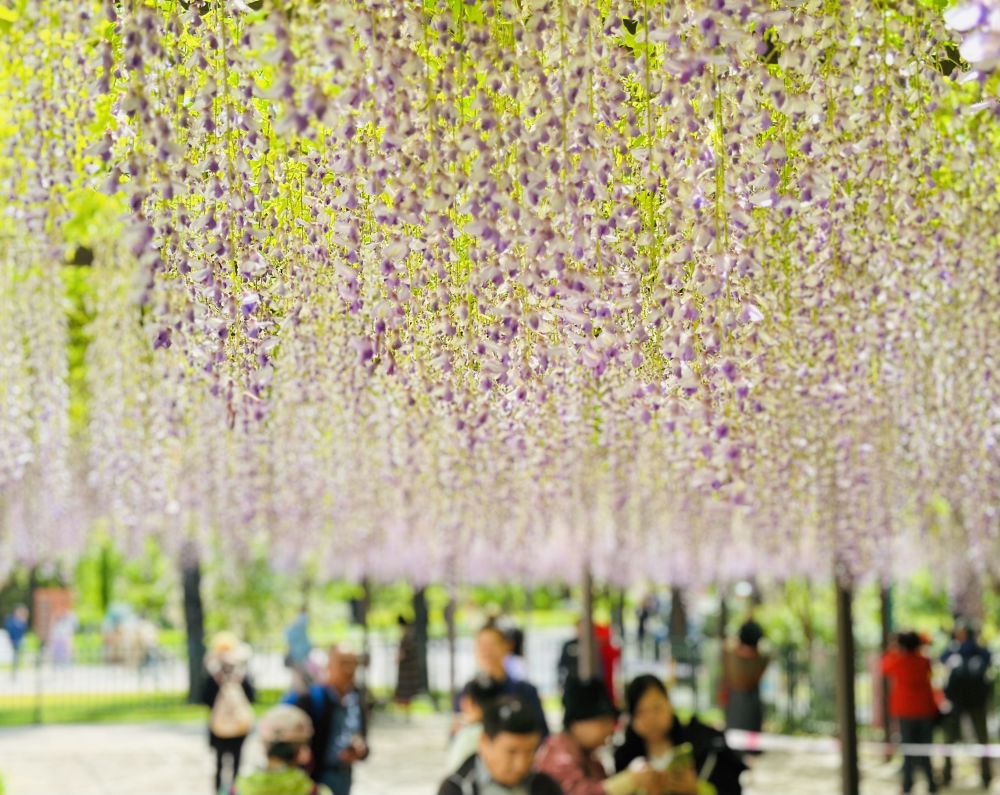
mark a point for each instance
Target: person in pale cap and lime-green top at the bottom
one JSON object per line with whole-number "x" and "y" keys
{"x": 286, "y": 732}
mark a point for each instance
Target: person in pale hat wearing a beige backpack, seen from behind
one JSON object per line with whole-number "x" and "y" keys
{"x": 229, "y": 694}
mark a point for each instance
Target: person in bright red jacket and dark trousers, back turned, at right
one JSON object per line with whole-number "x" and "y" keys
{"x": 911, "y": 701}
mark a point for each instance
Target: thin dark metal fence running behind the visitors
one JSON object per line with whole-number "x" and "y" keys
{"x": 798, "y": 693}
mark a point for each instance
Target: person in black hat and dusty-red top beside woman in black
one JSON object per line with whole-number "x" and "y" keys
{"x": 571, "y": 757}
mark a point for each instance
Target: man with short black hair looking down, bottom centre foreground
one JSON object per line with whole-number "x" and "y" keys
{"x": 502, "y": 764}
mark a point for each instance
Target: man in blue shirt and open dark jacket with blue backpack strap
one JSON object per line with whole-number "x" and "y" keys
{"x": 338, "y": 715}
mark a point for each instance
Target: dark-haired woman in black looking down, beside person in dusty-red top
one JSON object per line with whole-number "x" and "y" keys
{"x": 653, "y": 732}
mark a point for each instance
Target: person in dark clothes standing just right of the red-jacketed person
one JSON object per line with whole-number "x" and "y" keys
{"x": 969, "y": 690}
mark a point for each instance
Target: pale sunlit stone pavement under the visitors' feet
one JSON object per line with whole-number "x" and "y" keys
{"x": 407, "y": 760}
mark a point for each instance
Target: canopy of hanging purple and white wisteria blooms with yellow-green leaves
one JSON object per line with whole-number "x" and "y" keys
{"x": 458, "y": 289}
